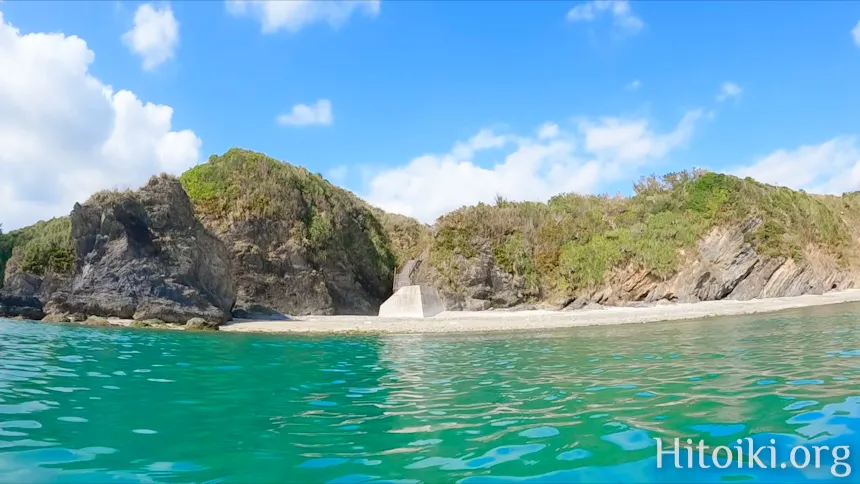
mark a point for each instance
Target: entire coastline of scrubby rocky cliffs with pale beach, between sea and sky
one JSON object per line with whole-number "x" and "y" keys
{"x": 245, "y": 236}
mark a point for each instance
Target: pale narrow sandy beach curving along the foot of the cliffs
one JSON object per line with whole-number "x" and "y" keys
{"x": 501, "y": 320}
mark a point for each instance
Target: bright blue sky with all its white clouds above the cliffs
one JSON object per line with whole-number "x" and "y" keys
{"x": 631, "y": 88}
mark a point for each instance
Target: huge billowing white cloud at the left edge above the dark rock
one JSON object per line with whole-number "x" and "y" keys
{"x": 65, "y": 134}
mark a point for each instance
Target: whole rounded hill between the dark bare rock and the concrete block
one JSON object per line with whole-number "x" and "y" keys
{"x": 298, "y": 244}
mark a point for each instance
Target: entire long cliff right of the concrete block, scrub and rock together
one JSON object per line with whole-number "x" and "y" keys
{"x": 687, "y": 237}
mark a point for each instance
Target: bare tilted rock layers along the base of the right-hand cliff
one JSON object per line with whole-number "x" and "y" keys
{"x": 724, "y": 266}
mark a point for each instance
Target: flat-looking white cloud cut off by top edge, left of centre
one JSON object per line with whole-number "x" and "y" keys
{"x": 293, "y": 15}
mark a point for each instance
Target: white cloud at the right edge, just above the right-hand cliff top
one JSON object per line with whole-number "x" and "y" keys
{"x": 830, "y": 167}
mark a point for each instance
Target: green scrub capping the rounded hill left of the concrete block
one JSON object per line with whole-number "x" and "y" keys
{"x": 329, "y": 222}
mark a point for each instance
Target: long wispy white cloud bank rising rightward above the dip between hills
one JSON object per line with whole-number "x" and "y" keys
{"x": 527, "y": 167}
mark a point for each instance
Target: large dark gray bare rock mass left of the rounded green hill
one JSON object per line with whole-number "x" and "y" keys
{"x": 143, "y": 255}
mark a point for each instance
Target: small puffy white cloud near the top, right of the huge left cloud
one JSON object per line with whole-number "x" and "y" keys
{"x": 155, "y": 35}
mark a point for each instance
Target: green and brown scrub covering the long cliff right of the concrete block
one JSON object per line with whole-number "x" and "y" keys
{"x": 573, "y": 242}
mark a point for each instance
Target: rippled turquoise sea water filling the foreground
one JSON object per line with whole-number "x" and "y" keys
{"x": 81, "y": 404}
